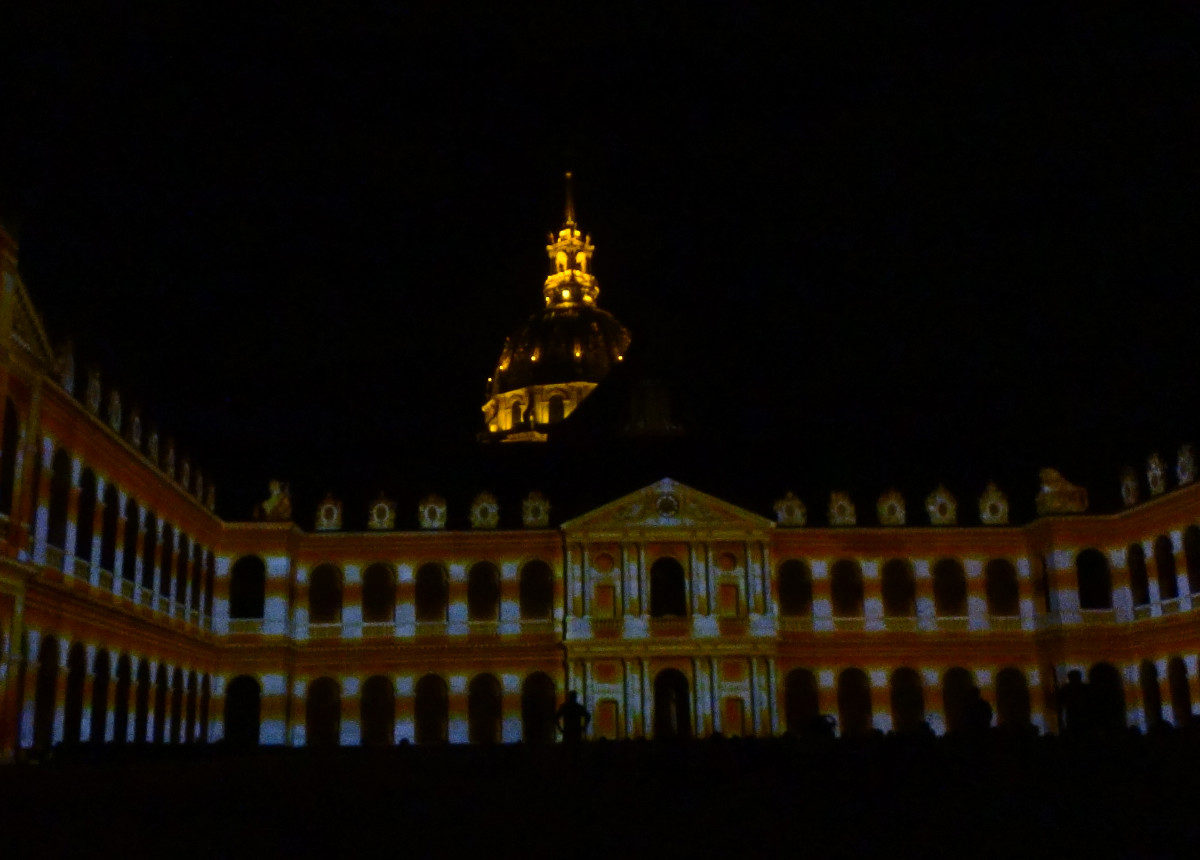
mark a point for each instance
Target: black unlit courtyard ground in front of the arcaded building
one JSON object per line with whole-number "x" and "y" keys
{"x": 1126, "y": 797}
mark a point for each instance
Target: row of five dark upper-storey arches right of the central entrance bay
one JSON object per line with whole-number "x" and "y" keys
{"x": 898, "y": 587}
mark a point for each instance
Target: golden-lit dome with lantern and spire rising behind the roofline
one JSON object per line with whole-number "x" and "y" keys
{"x": 560, "y": 354}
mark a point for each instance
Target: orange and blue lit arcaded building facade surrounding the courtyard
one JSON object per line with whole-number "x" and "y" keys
{"x": 131, "y": 614}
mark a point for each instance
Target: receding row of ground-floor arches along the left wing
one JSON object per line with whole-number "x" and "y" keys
{"x": 131, "y": 700}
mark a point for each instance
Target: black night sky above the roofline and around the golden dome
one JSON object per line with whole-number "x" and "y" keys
{"x": 866, "y": 246}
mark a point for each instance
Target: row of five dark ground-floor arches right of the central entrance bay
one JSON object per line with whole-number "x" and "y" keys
{"x": 907, "y": 699}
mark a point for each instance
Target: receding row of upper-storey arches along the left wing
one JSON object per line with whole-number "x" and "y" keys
{"x": 172, "y": 563}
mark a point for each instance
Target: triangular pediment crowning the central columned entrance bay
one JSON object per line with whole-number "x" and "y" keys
{"x": 669, "y": 507}
